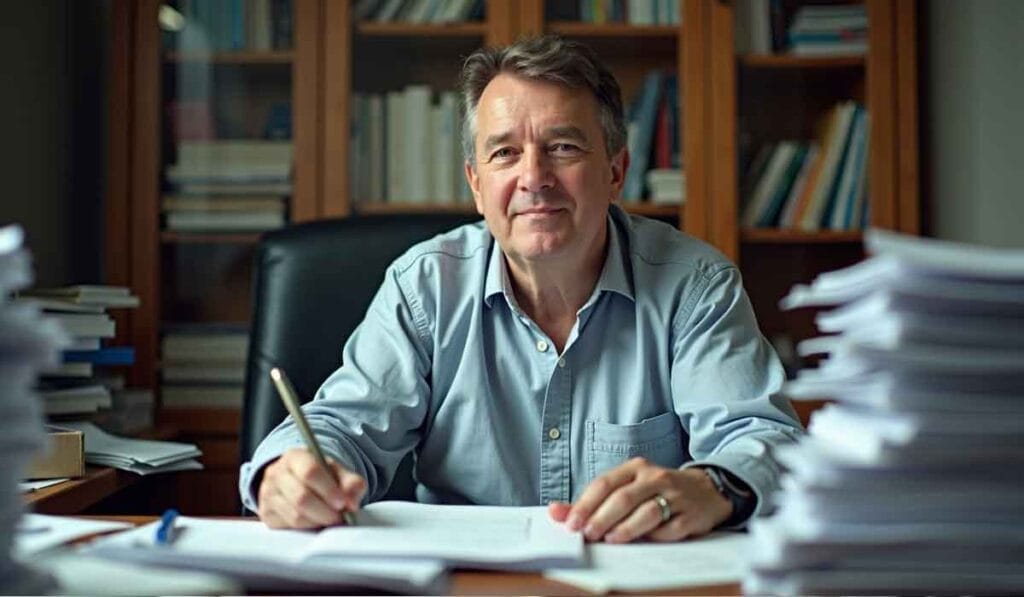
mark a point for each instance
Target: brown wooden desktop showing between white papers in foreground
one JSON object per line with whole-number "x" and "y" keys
{"x": 488, "y": 583}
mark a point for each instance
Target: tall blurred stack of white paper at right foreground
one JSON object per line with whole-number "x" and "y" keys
{"x": 911, "y": 483}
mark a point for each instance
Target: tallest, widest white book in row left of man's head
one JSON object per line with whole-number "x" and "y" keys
{"x": 417, "y": 144}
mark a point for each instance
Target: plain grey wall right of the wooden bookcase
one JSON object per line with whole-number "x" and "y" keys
{"x": 973, "y": 122}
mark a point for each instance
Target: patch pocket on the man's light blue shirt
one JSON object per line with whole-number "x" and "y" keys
{"x": 659, "y": 440}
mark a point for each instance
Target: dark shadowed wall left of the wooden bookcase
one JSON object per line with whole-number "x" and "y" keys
{"x": 53, "y": 100}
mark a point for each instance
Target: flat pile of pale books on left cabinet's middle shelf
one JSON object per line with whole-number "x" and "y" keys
{"x": 229, "y": 186}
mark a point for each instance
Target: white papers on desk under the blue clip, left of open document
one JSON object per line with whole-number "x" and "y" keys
{"x": 266, "y": 560}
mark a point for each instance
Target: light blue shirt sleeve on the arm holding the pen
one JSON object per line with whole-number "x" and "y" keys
{"x": 369, "y": 413}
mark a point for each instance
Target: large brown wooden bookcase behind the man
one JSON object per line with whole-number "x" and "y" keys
{"x": 730, "y": 104}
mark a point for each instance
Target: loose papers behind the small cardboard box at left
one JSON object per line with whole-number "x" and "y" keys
{"x": 139, "y": 456}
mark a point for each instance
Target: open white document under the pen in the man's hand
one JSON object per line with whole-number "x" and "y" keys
{"x": 488, "y": 537}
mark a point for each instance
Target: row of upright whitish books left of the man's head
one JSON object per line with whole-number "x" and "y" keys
{"x": 407, "y": 149}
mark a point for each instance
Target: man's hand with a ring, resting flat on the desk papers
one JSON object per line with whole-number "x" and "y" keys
{"x": 622, "y": 505}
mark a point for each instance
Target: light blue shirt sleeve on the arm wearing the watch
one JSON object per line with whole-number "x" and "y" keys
{"x": 726, "y": 379}
